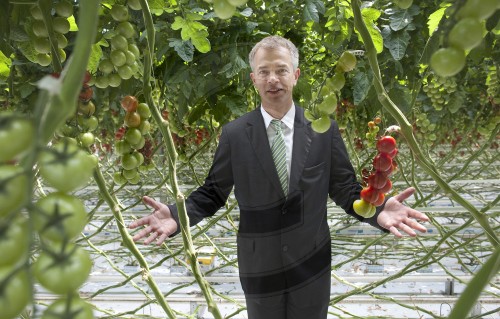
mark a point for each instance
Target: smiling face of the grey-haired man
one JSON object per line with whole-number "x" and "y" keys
{"x": 274, "y": 76}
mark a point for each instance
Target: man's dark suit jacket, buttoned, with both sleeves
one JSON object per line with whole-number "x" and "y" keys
{"x": 283, "y": 241}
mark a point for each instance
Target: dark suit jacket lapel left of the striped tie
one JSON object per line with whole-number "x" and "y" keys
{"x": 257, "y": 135}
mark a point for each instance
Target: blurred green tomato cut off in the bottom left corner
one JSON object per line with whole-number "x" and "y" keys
{"x": 15, "y": 293}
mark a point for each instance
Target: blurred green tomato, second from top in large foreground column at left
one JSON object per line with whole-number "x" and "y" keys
{"x": 59, "y": 217}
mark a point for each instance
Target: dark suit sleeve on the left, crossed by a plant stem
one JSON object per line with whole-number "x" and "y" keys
{"x": 212, "y": 195}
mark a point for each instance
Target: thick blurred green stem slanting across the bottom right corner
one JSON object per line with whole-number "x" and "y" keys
{"x": 471, "y": 293}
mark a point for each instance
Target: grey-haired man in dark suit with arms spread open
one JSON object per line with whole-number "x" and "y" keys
{"x": 284, "y": 252}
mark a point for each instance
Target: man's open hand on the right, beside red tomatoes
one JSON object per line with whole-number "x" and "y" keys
{"x": 396, "y": 216}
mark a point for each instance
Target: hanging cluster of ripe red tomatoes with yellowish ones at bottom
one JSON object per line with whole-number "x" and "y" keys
{"x": 378, "y": 182}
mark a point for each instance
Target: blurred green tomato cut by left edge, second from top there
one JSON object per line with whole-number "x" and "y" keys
{"x": 13, "y": 189}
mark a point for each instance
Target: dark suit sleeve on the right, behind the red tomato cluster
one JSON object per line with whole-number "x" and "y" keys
{"x": 344, "y": 188}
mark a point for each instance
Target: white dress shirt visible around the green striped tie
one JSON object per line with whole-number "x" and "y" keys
{"x": 287, "y": 127}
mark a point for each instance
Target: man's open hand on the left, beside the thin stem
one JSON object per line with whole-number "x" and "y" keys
{"x": 159, "y": 225}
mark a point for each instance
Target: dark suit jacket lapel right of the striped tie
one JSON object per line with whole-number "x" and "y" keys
{"x": 301, "y": 145}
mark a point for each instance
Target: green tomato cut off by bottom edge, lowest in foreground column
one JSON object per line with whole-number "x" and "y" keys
{"x": 69, "y": 307}
